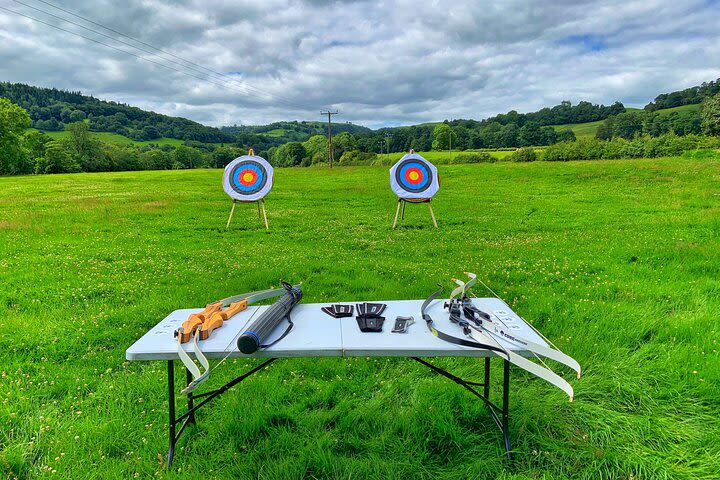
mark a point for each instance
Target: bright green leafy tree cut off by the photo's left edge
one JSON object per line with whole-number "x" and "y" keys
{"x": 14, "y": 120}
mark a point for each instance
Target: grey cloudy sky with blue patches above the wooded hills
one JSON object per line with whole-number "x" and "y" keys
{"x": 378, "y": 63}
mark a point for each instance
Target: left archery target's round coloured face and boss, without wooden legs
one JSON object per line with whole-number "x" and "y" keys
{"x": 248, "y": 178}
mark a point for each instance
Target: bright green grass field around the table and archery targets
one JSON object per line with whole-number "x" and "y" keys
{"x": 618, "y": 262}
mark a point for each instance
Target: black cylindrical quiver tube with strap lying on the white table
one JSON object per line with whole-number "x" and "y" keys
{"x": 259, "y": 330}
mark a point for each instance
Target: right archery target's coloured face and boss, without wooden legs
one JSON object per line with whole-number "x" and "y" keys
{"x": 414, "y": 177}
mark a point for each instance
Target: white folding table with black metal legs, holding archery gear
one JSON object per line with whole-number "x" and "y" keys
{"x": 316, "y": 334}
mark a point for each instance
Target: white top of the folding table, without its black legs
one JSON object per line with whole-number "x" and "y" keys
{"x": 317, "y": 334}
